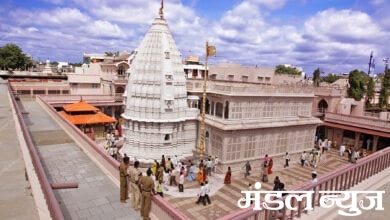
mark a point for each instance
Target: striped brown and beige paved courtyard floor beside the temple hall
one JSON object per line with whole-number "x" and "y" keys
{"x": 225, "y": 197}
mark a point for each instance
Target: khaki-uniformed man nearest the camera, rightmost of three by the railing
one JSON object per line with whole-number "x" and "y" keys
{"x": 146, "y": 186}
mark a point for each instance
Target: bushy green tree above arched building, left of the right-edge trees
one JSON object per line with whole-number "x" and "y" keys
{"x": 357, "y": 84}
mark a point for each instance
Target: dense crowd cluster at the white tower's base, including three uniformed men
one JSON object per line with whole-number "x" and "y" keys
{"x": 162, "y": 173}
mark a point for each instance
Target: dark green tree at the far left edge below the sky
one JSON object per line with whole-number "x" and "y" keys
{"x": 12, "y": 57}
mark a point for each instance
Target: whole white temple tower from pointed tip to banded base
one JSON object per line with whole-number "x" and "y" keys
{"x": 158, "y": 118}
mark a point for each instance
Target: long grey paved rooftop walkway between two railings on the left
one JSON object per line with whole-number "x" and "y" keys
{"x": 97, "y": 196}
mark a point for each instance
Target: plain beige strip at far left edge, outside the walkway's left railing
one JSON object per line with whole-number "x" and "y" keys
{"x": 16, "y": 199}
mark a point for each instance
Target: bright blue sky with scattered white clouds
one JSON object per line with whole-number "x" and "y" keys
{"x": 336, "y": 36}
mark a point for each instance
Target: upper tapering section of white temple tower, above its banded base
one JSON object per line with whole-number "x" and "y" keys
{"x": 157, "y": 72}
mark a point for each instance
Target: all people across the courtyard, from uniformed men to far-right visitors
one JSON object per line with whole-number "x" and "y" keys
{"x": 173, "y": 172}
